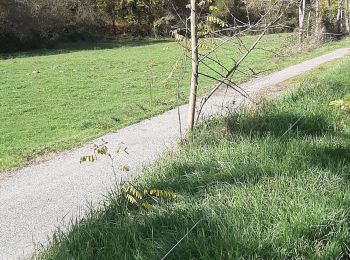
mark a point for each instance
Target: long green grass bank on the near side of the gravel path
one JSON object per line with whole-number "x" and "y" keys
{"x": 257, "y": 193}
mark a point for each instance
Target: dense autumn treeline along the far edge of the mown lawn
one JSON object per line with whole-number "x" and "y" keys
{"x": 39, "y": 23}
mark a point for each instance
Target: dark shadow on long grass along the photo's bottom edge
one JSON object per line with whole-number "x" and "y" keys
{"x": 117, "y": 234}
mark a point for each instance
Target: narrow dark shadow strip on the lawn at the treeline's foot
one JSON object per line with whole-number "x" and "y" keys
{"x": 70, "y": 47}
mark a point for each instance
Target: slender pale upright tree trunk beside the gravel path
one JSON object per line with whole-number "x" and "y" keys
{"x": 194, "y": 79}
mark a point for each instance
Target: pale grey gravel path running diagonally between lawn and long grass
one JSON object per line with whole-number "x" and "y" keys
{"x": 41, "y": 197}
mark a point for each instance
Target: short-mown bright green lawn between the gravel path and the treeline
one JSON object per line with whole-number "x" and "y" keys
{"x": 57, "y": 99}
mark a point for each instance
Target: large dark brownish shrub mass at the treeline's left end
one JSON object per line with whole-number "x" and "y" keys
{"x": 38, "y": 23}
